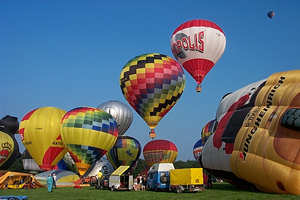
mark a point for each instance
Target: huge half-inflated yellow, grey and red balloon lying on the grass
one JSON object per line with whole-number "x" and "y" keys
{"x": 257, "y": 137}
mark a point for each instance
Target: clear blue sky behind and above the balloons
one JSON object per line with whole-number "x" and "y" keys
{"x": 70, "y": 53}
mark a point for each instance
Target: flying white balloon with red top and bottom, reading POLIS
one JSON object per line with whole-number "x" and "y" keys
{"x": 197, "y": 45}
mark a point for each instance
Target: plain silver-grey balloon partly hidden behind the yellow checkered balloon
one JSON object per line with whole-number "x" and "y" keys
{"x": 121, "y": 112}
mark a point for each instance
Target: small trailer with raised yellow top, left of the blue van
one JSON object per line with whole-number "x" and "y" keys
{"x": 120, "y": 180}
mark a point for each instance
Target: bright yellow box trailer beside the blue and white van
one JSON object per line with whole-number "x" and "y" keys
{"x": 186, "y": 180}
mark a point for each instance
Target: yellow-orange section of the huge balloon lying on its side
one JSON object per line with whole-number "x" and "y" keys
{"x": 266, "y": 149}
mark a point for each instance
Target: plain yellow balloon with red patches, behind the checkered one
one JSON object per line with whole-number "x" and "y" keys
{"x": 40, "y": 131}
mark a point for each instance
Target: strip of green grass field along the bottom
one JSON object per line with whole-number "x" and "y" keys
{"x": 219, "y": 192}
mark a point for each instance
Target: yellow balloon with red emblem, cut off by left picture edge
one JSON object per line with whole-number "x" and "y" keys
{"x": 9, "y": 150}
